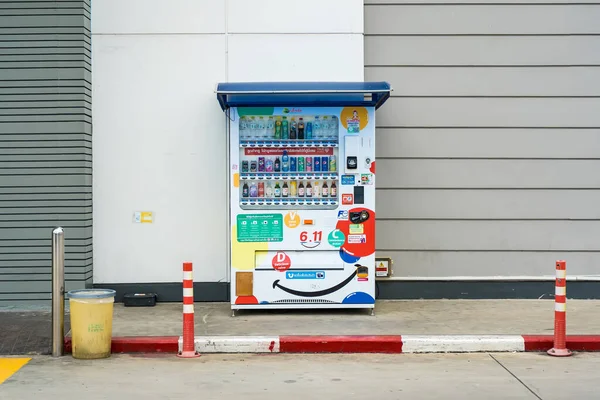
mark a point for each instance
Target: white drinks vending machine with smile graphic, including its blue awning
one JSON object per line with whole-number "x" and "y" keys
{"x": 301, "y": 169}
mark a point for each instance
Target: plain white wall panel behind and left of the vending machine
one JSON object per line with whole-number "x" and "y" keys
{"x": 159, "y": 139}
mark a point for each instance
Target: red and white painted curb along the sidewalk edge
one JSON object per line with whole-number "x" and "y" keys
{"x": 391, "y": 344}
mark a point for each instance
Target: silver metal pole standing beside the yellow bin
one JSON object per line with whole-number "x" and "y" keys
{"x": 58, "y": 292}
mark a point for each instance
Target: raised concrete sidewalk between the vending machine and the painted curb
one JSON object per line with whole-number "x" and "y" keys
{"x": 419, "y": 317}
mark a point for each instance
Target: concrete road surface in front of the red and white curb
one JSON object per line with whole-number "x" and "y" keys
{"x": 429, "y": 376}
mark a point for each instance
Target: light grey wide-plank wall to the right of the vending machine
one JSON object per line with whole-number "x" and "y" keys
{"x": 489, "y": 151}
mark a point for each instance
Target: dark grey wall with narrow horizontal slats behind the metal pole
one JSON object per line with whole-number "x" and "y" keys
{"x": 45, "y": 149}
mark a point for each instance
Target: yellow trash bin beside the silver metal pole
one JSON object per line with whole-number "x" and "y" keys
{"x": 91, "y": 322}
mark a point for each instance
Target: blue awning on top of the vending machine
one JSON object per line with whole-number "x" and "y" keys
{"x": 302, "y": 94}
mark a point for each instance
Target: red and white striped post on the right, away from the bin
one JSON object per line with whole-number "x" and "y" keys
{"x": 560, "y": 312}
